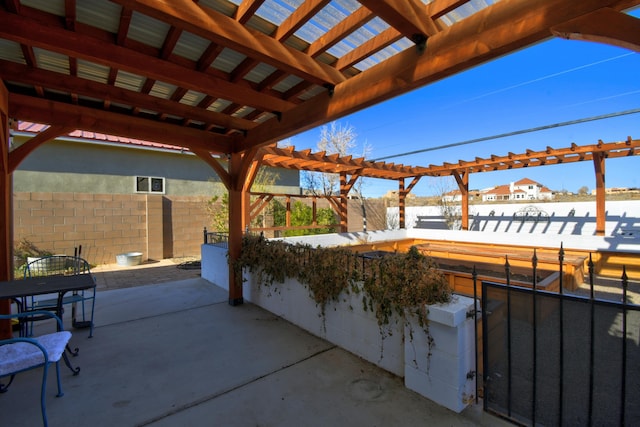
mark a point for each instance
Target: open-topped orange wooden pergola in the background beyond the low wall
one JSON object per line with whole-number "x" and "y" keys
{"x": 351, "y": 169}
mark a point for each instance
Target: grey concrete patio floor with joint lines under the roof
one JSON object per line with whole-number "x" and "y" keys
{"x": 176, "y": 354}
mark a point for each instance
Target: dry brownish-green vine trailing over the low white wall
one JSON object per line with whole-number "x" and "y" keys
{"x": 394, "y": 284}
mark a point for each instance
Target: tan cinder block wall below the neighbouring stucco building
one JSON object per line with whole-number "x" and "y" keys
{"x": 108, "y": 224}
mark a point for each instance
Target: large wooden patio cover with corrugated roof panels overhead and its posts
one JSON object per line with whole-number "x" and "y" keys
{"x": 226, "y": 79}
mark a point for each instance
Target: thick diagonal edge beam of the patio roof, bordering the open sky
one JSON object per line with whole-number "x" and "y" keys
{"x": 483, "y": 36}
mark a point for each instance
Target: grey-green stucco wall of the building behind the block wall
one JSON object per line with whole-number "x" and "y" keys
{"x": 85, "y": 167}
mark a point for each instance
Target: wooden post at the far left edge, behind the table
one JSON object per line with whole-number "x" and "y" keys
{"x": 6, "y": 211}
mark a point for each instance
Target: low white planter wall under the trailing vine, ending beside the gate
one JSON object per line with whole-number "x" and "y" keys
{"x": 402, "y": 348}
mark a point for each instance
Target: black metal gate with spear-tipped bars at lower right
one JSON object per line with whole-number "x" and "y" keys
{"x": 554, "y": 359}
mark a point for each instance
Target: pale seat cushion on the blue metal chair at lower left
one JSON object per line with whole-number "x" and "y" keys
{"x": 18, "y": 356}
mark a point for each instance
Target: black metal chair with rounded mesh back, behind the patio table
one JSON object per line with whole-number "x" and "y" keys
{"x": 62, "y": 265}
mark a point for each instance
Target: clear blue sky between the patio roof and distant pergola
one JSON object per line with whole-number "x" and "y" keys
{"x": 552, "y": 82}
